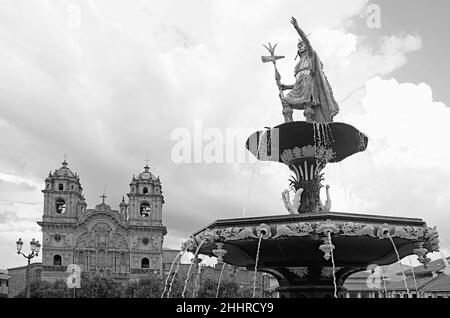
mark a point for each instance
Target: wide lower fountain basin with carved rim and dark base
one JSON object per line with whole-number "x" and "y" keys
{"x": 295, "y": 248}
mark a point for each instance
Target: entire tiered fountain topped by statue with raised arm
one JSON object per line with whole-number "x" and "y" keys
{"x": 311, "y": 251}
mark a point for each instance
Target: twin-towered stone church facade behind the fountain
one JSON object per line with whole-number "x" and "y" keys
{"x": 124, "y": 243}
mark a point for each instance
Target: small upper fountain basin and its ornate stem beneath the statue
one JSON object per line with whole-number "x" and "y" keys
{"x": 306, "y": 148}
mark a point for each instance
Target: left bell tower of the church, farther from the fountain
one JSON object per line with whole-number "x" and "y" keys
{"x": 63, "y": 196}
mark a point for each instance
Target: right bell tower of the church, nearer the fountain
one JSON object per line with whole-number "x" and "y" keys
{"x": 145, "y": 199}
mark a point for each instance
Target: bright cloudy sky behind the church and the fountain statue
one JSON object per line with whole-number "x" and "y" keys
{"x": 111, "y": 83}
